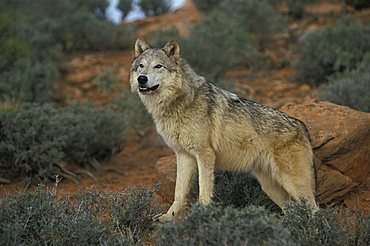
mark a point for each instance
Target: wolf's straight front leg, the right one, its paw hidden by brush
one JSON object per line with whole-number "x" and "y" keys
{"x": 206, "y": 166}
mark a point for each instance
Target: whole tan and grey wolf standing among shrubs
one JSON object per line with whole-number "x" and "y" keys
{"x": 209, "y": 128}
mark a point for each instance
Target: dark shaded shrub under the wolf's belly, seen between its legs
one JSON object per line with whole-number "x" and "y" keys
{"x": 237, "y": 189}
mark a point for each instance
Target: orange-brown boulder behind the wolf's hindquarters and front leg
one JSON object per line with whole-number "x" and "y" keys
{"x": 341, "y": 142}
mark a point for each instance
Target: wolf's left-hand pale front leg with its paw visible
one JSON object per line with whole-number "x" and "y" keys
{"x": 185, "y": 169}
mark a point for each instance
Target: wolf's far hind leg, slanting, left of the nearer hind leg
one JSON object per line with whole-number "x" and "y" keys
{"x": 273, "y": 189}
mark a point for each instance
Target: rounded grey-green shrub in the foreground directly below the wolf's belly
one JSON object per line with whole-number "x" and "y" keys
{"x": 213, "y": 225}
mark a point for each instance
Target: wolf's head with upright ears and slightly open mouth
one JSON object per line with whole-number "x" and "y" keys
{"x": 152, "y": 69}
